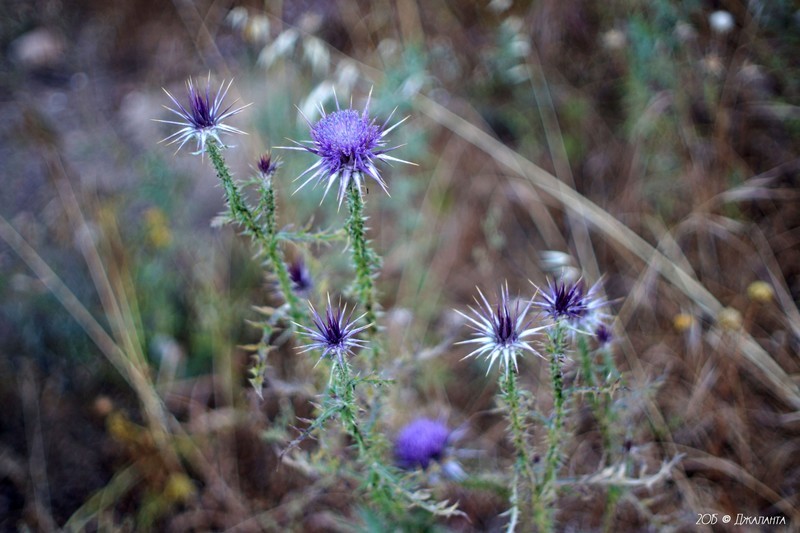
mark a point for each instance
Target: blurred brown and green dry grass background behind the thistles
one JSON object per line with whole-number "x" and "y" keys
{"x": 657, "y": 150}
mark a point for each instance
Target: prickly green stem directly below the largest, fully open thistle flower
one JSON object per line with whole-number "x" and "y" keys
{"x": 365, "y": 262}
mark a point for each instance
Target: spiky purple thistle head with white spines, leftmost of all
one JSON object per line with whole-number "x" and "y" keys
{"x": 203, "y": 118}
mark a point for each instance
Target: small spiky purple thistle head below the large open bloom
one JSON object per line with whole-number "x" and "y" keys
{"x": 334, "y": 334}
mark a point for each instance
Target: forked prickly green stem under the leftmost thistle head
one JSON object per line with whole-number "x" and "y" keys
{"x": 266, "y": 237}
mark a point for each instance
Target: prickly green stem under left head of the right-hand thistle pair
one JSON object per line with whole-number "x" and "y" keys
{"x": 523, "y": 474}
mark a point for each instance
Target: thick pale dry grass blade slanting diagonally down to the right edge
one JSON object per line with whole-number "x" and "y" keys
{"x": 773, "y": 376}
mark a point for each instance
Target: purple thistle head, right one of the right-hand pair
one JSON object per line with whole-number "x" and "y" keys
{"x": 570, "y": 301}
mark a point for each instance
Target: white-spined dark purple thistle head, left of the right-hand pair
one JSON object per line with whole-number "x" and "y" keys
{"x": 500, "y": 330}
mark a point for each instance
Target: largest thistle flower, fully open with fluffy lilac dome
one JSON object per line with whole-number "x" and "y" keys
{"x": 347, "y": 143}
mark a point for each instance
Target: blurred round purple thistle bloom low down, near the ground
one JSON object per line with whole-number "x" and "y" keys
{"x": 420, "y": 442}
